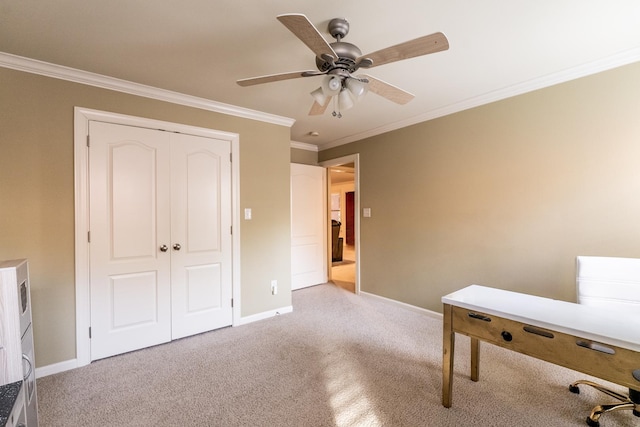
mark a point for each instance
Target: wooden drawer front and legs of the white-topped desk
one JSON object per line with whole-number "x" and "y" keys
{"x": 602, "y": 360}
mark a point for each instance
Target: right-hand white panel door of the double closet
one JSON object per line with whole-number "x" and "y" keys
{"x": 201, "y": 235}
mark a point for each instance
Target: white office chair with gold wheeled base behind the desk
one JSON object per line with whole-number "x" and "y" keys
{"x": 613, "y": 284}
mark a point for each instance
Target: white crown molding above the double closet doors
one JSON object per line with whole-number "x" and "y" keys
{"x": 47, "y": 69}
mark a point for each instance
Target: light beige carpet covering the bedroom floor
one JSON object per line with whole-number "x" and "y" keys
{"x": 338, "y": 360}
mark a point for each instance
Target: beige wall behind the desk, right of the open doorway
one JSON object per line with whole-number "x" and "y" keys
{"x": 504, "y": 195}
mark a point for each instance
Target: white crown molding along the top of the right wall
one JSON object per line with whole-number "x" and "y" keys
{"x": 618, "y": 60}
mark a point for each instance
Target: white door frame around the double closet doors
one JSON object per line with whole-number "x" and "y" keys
{"x": 82, "y": 117}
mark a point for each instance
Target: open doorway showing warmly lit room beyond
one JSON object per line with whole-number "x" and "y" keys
{"x": 343, "y": 222}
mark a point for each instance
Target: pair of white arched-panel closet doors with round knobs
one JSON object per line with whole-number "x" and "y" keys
{"x": 160, "y": 227}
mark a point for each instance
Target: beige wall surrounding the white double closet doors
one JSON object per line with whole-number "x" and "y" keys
{"x": 37, "y": 196}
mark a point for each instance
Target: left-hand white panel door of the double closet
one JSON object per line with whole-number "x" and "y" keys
{"x": 129, "y": 225}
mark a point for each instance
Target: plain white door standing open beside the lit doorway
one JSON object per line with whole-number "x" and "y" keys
{"x": 308, "y": 226}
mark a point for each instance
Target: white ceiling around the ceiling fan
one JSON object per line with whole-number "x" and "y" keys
{"x": 498, "y": 48}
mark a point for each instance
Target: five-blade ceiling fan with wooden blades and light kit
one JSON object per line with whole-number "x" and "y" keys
{"x": 338, "y": 61}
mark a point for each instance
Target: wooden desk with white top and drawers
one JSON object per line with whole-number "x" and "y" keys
{"x": 596, "y": 342}
